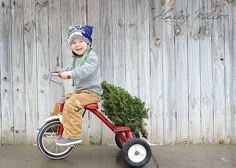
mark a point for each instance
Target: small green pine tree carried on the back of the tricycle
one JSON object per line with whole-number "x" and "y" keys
{"x": 123, "y": 109}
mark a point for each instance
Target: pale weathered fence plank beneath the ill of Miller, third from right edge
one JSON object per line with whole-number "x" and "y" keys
{"x": 206, "y": 76}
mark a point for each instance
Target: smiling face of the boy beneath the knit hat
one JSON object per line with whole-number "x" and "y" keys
{"x": 78, "y": 46}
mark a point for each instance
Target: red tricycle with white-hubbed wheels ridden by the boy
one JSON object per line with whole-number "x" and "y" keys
{"x": 136, "y": 151}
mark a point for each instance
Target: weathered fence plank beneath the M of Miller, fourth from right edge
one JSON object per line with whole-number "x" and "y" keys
{"x": 194, "y": 74}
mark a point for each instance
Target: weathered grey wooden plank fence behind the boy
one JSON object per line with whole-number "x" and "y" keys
{"x": 176, "y": 55}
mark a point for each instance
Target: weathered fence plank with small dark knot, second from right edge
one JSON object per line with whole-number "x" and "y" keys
{"x": 218, "y": 74}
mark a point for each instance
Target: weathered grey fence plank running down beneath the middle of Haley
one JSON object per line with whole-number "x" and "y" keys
{"x": 169, "y": 79}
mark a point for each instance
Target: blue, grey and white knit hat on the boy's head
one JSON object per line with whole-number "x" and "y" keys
{"x": 82, "y": 32}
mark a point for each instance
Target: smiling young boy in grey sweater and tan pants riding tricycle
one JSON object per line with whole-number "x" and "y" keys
{"x": 86, "y": 79}
